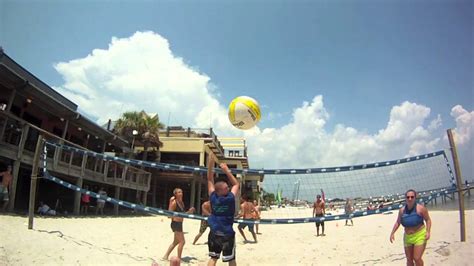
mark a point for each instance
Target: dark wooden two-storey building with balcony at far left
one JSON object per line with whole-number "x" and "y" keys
{"x": 29, "y": 108}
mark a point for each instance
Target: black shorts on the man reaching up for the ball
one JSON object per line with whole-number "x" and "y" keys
{"x": 224, "y": 244}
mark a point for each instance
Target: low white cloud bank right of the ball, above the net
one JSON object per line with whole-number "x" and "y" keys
{"x": 305, "y": 142}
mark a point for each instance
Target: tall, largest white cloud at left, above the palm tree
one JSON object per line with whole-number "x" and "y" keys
{"x": 141, "y": 72}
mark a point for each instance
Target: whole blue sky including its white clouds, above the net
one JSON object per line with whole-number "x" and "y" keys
{"x": 365, "y": 58}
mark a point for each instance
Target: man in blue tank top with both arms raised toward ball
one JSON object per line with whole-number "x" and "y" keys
{"x": 222, "y": 236}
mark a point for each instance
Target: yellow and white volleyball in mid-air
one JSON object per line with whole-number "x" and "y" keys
{"x": 244, "y": 112}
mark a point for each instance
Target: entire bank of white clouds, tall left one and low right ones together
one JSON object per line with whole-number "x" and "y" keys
{"x": 141, "y": 72}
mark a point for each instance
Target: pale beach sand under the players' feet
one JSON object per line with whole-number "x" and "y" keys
{"x": 142, "y": 240}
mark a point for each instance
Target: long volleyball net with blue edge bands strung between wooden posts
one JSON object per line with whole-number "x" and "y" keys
{"x": 288, "y": 194}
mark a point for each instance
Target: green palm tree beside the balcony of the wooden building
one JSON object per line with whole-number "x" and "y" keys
{"x": 147, "y": 131}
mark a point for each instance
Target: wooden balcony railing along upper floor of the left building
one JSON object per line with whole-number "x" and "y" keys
{"x": 18, "y": 139}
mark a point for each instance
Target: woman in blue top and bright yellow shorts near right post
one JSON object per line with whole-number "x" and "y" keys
{"x": 413, "y": 217}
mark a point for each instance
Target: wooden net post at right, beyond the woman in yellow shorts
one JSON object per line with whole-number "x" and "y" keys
{"x": 457, "y": 171}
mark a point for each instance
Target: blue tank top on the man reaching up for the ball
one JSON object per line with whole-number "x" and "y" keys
{"x": 222, "y": 214}
